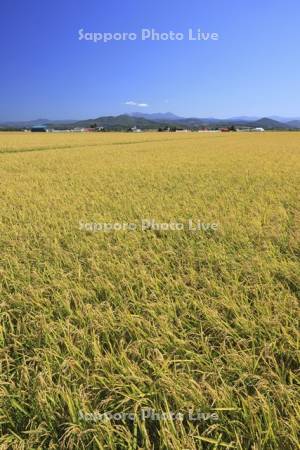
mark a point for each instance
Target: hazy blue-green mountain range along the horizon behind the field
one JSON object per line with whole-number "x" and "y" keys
{"x": 156, "y": 120}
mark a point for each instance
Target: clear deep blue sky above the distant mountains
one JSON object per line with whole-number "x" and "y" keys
{"x": 47, "y": 72}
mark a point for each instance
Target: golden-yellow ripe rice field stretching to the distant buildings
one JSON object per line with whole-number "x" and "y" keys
{"x": 148, "y": 337}
